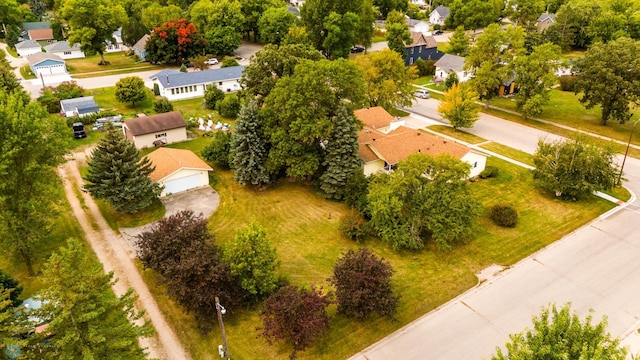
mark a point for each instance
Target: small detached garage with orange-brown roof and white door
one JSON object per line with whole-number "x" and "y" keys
{"x": 178, "y": 170}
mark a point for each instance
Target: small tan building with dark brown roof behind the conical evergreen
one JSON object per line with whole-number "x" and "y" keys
{"x": 155, "y": 130}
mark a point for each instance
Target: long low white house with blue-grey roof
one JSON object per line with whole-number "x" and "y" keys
{"x": 176, "y": 85}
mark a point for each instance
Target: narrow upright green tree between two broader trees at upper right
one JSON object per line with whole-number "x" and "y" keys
{"x": 535, "y": 74}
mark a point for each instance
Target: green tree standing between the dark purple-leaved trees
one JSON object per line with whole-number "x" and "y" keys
{"x": 253, "y": 261}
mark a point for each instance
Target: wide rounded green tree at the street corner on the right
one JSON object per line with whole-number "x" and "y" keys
{"x": 572, "y": 169}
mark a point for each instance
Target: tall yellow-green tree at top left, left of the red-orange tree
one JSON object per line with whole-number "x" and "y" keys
{"x": 92, "y": 22}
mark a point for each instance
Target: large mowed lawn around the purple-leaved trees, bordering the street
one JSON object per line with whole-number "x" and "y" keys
{"x": 304, "y": 229}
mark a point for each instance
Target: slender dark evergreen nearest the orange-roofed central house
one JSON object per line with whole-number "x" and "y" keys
{"x": 341, "y": 155}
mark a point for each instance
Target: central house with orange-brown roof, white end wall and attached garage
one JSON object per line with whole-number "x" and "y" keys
{"x": 383, "y": 147}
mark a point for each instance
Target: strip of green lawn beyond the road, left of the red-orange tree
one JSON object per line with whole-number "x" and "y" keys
{"x": 117, "y": 61}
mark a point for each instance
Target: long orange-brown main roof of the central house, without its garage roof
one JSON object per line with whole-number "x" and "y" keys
{"x": 402, "y": 142}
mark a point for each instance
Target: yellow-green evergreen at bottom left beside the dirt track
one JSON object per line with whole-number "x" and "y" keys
{"x": 88, "y": 320}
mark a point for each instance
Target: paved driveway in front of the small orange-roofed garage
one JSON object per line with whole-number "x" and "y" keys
{"x": 203, "y": 201}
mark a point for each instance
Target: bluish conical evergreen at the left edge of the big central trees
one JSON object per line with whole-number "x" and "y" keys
{"x": 248, "y": 148}
